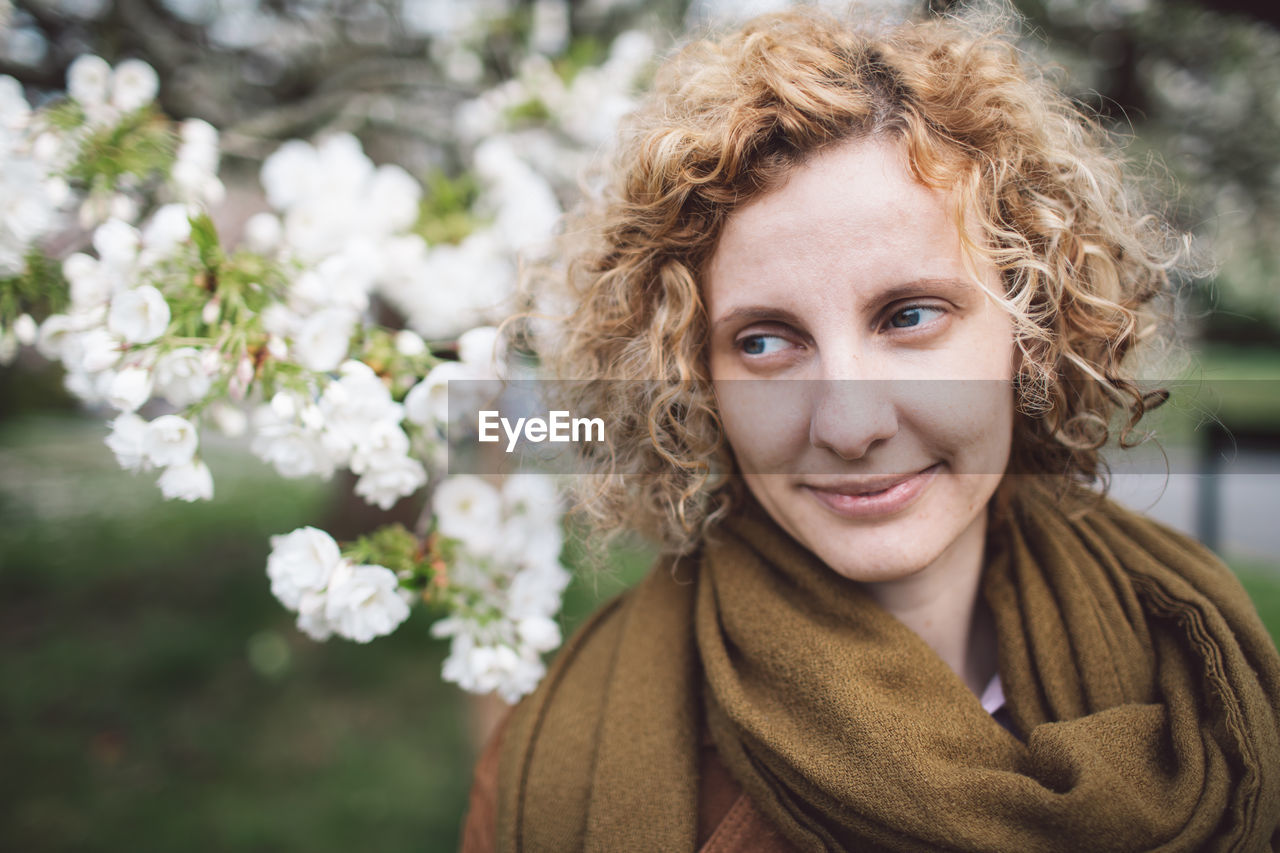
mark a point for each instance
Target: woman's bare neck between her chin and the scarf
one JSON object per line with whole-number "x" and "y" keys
{"x": 941, "y": 605}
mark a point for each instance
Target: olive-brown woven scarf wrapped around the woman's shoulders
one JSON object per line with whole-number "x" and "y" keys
{"x": 1135, "y": 667}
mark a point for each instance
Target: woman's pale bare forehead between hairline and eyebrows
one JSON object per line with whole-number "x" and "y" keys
{"x": 852, "y": 215}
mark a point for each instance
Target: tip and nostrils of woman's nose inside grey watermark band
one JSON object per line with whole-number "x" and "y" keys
{"x": 851, "y": 417}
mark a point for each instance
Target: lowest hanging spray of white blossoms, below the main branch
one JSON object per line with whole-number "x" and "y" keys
{"x": 501, "y": 585}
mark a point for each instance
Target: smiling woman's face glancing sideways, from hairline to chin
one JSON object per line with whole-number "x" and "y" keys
{"x": 879, "y": 417}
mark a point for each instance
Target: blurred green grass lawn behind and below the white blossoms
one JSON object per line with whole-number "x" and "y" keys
{"x": 154, "y": 696}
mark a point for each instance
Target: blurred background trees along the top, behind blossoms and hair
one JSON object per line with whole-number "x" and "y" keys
{"x": 1196, "y": 84}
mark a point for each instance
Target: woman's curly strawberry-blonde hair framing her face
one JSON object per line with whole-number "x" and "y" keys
{"x": 1040, "y": 181}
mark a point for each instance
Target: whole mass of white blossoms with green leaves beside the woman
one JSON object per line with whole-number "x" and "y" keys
{"x": 280, "y": 337}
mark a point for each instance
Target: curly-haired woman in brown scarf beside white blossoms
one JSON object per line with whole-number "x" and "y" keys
{"x": 884, "y": 290}
